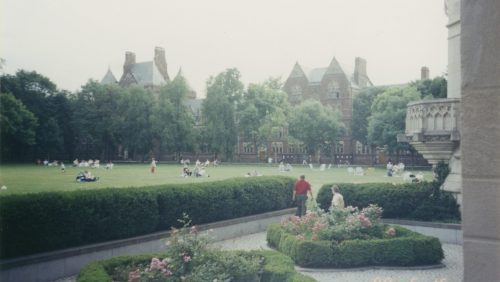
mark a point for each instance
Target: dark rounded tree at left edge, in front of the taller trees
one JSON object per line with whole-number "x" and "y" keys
{"x": 17, "y": 127}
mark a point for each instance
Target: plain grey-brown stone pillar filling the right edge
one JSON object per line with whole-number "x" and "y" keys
{"x": 480, "y": 53}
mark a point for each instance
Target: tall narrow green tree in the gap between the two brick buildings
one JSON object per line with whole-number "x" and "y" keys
{"x": 223, "y": 94}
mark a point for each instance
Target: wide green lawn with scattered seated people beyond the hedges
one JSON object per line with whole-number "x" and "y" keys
{"x": 32, "y": 178}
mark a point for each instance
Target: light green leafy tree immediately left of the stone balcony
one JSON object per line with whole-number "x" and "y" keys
{"x": 388, "y": 117}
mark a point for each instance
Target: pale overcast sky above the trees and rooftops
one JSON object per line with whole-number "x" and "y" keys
{"x": 71, "y": 41}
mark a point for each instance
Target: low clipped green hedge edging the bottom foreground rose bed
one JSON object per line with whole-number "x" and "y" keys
{"x": 277, "y": 267}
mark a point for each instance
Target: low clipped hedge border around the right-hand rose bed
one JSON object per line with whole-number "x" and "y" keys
{"x": 408, "y": 248}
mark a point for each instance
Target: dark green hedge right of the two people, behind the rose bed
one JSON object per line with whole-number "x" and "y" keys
{"x": 416, "y": 201}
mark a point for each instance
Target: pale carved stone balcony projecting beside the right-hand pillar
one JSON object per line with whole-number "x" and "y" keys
{"x": 432, "y": 127}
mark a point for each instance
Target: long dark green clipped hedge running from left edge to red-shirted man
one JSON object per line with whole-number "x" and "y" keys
{"x": 41, "y": 222}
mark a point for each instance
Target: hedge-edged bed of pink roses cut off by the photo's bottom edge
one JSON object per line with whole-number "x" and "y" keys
{"x": 190, "y": 258}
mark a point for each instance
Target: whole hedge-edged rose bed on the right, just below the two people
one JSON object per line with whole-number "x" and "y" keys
{"x": 351, "y": 238}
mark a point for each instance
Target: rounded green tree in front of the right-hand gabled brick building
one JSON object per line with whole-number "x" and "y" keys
{"x": 315, "y": 125}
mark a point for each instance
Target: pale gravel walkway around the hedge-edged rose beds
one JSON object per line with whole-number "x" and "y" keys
{"x": 453, "y": 272}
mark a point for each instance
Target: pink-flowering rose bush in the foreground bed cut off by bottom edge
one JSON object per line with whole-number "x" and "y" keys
{"x": 189, "y": 257}
